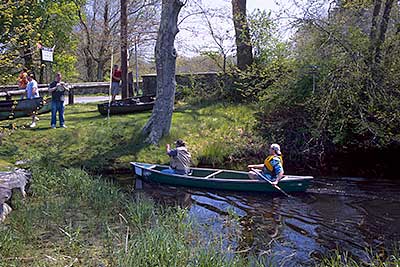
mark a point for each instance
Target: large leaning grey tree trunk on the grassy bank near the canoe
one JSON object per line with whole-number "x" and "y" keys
{"x": 159, "y": 123}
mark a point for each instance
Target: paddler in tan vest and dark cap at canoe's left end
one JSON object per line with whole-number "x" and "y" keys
{"x": 180, "y": 159}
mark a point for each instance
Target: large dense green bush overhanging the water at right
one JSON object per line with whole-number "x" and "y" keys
{"x": 329, "y": 102}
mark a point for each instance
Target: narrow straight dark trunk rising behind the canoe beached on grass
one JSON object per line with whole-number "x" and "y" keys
{"x": 124, "y": 47}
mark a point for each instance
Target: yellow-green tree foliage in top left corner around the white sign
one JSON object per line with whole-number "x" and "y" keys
{"x": 24, "y": 24}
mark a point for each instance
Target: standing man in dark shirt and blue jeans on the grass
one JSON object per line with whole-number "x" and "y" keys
{"x": 57, "y": 89}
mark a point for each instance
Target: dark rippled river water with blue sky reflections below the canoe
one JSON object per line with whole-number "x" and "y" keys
{"x": 349, "y": 214}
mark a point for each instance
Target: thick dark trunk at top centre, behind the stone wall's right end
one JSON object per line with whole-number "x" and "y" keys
{"x": 244, "y": 49}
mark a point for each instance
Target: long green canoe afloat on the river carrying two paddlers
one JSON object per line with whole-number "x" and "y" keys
{"x": 218, "y": 179}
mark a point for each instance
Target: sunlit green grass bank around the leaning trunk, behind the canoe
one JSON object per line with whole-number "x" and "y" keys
{"x": 97, "y": 144}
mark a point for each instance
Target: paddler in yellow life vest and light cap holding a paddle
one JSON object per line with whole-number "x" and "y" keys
{"x": 272, "y": 168}
